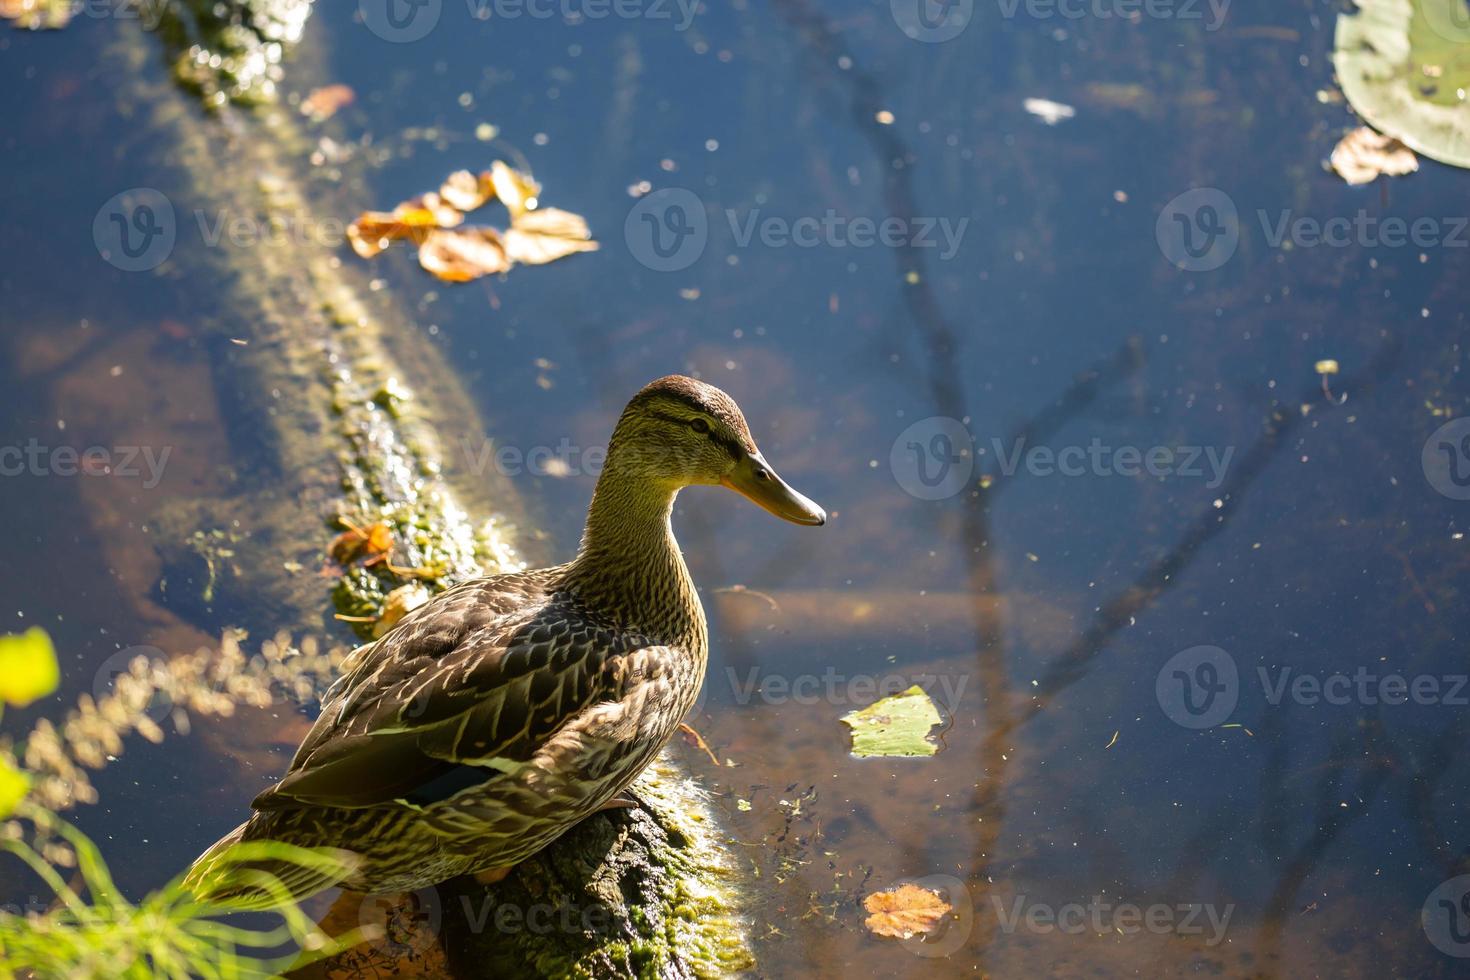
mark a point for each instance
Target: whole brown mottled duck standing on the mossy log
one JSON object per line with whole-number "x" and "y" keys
{"x": 508, "y": 709}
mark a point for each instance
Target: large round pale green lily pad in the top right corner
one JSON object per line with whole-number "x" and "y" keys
{"x": 1405, "y": 67}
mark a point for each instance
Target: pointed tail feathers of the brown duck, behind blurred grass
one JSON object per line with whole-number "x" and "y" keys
{"x": 248, "y": 872}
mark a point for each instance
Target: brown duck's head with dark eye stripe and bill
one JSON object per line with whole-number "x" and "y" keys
{"x": 683, "y": 433}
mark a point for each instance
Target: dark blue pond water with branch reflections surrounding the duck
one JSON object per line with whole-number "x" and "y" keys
{"x": 1162, "y": 574}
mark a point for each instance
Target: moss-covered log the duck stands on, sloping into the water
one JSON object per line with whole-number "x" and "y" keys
{"x": 342, "y": 406}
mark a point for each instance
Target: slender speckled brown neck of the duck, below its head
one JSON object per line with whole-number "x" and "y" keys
{"x": 630, "y": 566}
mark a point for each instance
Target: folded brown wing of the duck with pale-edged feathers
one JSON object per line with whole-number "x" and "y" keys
{"x": 464, "y": 691}
